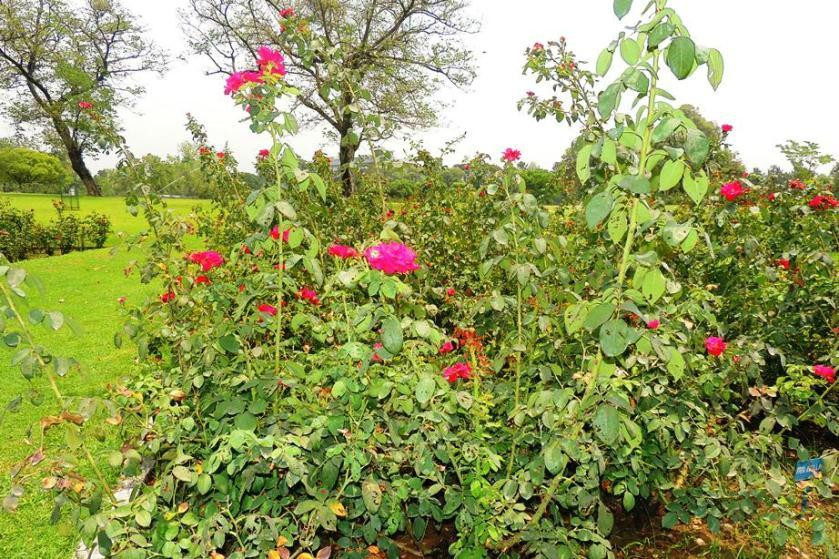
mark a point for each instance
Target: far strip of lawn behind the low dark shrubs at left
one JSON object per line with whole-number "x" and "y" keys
{"x": 112, "y": 206}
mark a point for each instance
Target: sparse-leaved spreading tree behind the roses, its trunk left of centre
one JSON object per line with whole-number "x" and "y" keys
{"x": 351, "y": 59}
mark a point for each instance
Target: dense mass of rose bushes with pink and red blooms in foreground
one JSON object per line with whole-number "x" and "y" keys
{"x": 332, "y": 375}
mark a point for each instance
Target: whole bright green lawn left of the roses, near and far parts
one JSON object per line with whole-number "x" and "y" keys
{"x": 84, "y": 286}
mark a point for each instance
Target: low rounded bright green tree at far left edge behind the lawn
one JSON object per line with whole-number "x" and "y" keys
{"x": 24, "y": 167}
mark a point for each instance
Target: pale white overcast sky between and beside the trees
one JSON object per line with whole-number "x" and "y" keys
{"x": 781, "y": 79}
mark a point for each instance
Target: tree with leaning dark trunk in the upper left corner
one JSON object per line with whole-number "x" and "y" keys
{"x": 65, "y": 66}
